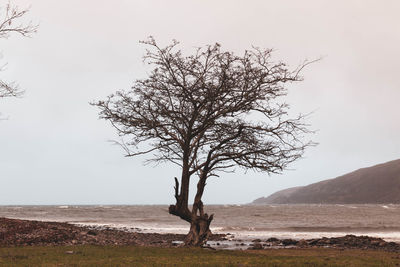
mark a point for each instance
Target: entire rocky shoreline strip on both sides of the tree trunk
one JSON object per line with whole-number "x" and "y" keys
{"x": 15, "y": 232}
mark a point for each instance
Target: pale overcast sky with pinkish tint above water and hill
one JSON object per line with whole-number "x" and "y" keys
{"x": 54, "y": 150}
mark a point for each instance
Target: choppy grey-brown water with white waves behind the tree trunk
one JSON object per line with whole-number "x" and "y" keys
{"x": 243, "y": 221}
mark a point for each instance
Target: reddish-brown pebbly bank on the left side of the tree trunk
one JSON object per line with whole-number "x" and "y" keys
{"x": 15, "y": 232}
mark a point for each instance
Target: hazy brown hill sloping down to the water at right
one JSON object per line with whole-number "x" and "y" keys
{"x": 373, "y": 185}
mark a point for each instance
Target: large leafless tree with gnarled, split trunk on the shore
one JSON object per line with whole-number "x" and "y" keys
{"x": 207, "y": 113}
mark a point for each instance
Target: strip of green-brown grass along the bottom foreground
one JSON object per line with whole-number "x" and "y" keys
{"x": 146, "y": 256}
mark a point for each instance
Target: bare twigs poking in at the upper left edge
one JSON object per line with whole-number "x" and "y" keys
{"x": 10, "y": 23}
